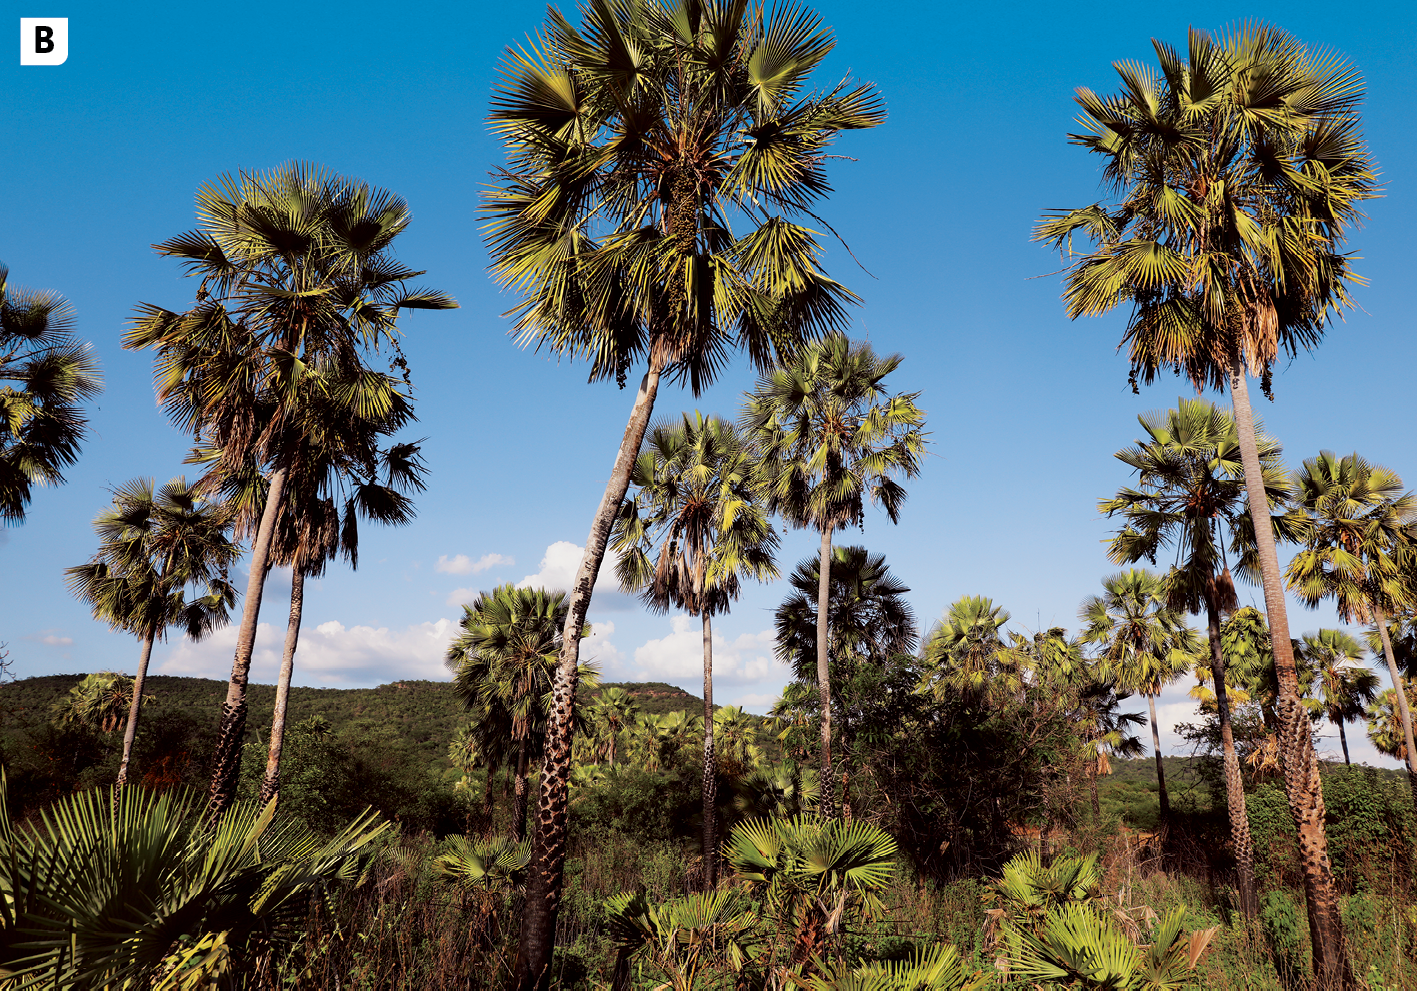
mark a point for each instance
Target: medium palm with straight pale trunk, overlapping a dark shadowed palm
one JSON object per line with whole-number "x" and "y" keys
{"x": 828, "y": 436}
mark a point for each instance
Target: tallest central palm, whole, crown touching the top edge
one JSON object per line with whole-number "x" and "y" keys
{"x": 665, "y": 162}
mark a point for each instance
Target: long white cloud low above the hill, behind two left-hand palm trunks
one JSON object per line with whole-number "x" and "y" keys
{"x": 329, "y": 654}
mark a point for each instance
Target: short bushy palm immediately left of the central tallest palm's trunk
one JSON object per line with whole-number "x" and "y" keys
{"x": 505, "y": 663}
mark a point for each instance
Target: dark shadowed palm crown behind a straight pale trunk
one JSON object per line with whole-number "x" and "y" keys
{"x": 868, "y": 623}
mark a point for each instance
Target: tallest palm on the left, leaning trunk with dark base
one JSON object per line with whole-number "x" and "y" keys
{"x": 298, "y": 287}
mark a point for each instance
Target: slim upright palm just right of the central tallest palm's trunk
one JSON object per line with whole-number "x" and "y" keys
{"x": 692, "y": 529}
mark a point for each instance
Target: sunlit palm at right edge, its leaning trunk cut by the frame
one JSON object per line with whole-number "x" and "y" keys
{"x": 1360, "y": 551}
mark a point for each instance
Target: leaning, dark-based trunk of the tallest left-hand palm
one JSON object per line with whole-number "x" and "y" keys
{"x": 227, "y": 763}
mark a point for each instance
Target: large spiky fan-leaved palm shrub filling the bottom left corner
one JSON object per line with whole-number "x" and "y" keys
{"x": 131, "y": 889}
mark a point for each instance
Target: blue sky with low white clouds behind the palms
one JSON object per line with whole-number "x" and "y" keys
{"x": 103, "y": 158}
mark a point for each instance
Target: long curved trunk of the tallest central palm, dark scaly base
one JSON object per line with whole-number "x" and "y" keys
{"x": 549, "y": 842}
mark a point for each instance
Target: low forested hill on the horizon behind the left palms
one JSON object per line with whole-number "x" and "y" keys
{"x": 423, "y": 715}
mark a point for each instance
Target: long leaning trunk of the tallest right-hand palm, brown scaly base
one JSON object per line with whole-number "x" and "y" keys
{"x": 1302, "y": 767}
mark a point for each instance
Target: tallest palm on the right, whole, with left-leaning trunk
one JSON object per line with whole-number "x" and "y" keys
{"x": 1236, "y": 171}
